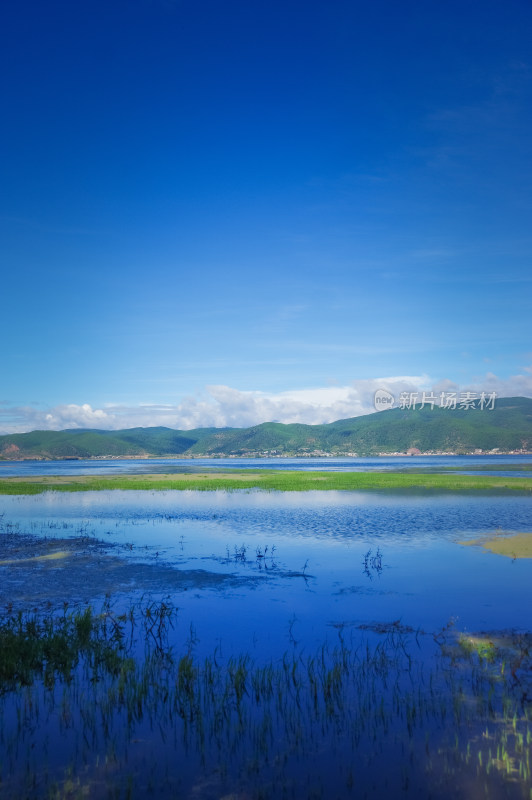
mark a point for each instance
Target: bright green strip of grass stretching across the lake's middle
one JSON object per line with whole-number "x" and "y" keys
{"x": 278, "y": 480}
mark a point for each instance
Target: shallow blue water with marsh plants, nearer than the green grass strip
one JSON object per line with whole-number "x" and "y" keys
{"x": 264, "y": 644}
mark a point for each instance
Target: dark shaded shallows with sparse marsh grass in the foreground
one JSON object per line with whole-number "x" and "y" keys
{"x": 99, "y": 704}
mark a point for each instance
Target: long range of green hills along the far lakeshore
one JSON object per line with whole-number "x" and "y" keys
{"x": 507, "y": 427}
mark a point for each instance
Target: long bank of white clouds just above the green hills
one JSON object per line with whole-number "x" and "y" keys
{"x": 222, "y": 406}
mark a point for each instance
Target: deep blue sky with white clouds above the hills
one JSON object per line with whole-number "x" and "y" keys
{"x": 221, "y": 213}
